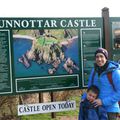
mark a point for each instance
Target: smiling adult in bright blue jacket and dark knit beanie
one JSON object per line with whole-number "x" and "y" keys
{"x": 108, "y": 96}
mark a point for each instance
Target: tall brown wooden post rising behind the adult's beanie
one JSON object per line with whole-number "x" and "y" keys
{"x": 106, "y": 29}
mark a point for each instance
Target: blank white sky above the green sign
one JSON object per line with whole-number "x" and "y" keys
{"x": 58, "y": 8}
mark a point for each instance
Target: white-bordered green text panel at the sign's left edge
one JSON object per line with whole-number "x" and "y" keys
{"x": 5, "y": 63}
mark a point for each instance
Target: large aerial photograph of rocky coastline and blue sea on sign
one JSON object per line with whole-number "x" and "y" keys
{"x": 45, "y": 52}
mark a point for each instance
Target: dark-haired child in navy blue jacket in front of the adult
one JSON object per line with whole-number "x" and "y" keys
{"x": 87, "y": 110}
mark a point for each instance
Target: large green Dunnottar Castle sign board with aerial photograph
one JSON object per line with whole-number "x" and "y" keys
{"x": 45, "y": 54}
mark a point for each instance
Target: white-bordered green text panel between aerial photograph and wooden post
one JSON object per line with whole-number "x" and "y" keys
{"x": 91, "y": 39}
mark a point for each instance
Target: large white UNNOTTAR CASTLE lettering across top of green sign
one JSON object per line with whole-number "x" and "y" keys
{"x": 47, "y": 23}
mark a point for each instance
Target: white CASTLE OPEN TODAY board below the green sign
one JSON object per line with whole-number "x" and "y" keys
{"x": 46, "y": 107}
